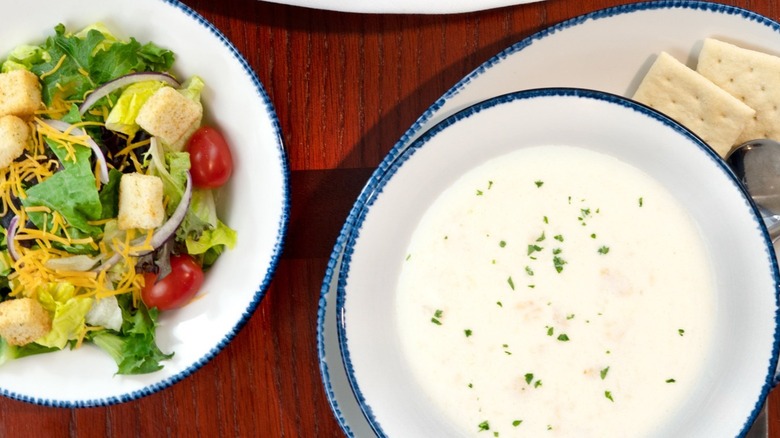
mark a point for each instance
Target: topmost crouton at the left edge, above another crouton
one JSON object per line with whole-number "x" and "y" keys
{"x": 20, "y": 93}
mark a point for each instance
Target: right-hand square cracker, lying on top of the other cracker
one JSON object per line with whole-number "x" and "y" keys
{"x": 751, "y": 76}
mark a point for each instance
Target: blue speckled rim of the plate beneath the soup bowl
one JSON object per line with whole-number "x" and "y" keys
{"x": 334, "y": 264}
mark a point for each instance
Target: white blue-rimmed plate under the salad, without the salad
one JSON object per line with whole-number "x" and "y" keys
{"x": 255, "y": 202}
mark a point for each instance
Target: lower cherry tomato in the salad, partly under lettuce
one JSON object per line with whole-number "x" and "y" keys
{"x": 177, "y": 288}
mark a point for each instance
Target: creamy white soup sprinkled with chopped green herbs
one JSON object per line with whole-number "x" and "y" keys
{"x": 556, "y": 291}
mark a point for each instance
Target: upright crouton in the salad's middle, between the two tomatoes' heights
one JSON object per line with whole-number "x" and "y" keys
{"x": 140, "y": 202}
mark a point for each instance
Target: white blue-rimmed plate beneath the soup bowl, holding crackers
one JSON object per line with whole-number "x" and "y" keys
{"x": 606, "y": 50}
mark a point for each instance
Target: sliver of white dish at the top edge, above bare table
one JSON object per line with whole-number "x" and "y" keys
{"x": 404, "y": 6}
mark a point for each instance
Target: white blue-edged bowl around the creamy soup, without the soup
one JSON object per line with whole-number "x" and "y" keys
{"x": 740, "y": 364}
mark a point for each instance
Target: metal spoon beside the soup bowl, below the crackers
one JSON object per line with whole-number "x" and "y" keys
{"x": 757, "y": 165}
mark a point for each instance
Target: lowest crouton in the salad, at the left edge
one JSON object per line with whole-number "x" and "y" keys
{"x": 23, "y": 320}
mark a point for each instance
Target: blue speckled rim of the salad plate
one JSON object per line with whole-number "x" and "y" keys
{"x": 262, "y": 288}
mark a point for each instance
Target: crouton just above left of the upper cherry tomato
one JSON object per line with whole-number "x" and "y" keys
{"x": 171, "y": 116}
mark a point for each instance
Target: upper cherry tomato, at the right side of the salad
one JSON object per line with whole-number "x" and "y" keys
{"x": 210, "y": 157}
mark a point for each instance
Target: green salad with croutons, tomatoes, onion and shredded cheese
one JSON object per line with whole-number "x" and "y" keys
{"x": 108, "y": 184}
